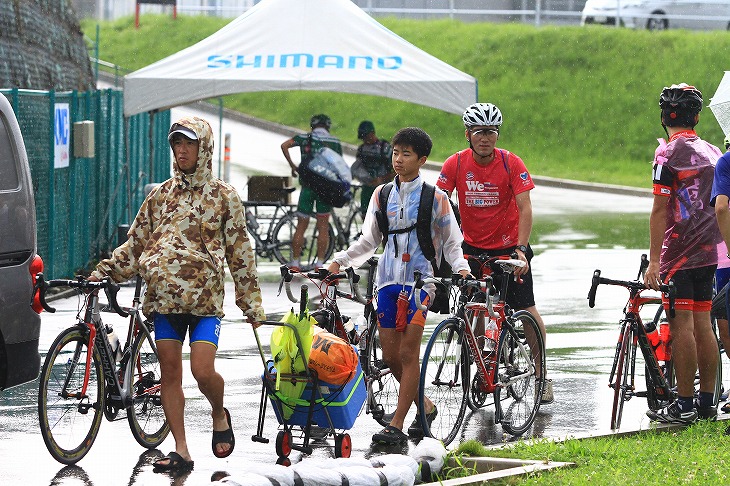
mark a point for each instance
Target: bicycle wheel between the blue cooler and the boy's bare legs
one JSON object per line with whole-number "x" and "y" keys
{"x": 381, "y": 383}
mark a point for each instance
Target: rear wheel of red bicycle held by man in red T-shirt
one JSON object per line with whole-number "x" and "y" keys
{"x": 520, "y": 373}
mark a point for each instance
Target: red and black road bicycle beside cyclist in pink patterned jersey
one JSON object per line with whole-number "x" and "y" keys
{"x": 659, "y": 373}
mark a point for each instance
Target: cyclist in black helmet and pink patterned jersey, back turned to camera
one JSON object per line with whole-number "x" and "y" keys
{"x": 683, "y": 247}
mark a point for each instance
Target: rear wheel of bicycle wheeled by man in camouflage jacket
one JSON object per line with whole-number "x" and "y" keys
{"x": 145, "y": 415}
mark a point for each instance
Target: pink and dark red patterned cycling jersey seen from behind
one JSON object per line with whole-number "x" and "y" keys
{"x": 683, "y": 172}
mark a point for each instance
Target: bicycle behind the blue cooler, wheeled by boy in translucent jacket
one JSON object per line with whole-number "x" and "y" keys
{"x": 381, "y": 384}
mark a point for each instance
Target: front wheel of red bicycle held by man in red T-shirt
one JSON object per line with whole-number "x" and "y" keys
{"x": 445, "y": 380}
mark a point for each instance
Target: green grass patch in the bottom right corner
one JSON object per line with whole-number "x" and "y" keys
{"x": 695, "y": 455}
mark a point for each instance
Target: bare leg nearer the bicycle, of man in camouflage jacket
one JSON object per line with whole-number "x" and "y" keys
{"x": 173, "y": 399}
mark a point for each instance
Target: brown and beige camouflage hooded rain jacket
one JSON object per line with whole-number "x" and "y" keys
{"x": 185, "y": 230}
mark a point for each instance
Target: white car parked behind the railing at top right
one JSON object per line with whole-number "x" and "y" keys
{"x": 659, "y": 14}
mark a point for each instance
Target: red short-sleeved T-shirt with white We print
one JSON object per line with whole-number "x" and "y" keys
{"x": 489, "y": 215}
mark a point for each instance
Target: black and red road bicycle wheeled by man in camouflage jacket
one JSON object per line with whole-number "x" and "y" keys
{"x": 80, "y": 379}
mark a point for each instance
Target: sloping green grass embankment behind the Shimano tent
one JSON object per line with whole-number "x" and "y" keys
{"x": 579, "y": 103}
